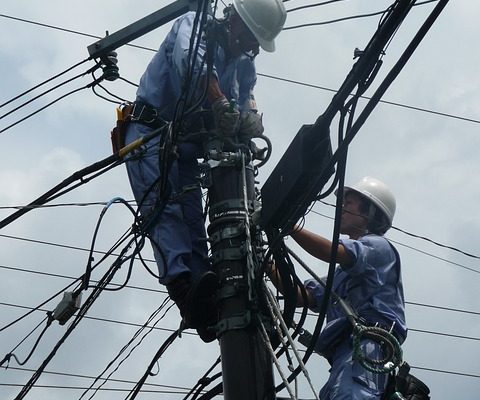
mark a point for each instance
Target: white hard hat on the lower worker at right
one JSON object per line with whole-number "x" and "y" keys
{"x": 378, "y": 193}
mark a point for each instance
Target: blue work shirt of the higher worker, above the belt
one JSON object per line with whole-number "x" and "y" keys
{"x": 162, "y": 82}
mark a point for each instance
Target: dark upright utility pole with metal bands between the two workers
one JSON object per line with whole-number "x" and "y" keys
{"x": 246, "y": 362}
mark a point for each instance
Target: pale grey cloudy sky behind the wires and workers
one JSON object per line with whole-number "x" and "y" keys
{"x": 424, "y": 146}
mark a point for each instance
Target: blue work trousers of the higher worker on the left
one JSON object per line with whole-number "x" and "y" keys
{"x": 177, "y": 234}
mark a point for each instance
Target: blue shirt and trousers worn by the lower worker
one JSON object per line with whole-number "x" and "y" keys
{"x": 372, "y": 285}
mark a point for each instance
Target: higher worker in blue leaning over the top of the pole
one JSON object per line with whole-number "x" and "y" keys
{"x": 175, "y": 219}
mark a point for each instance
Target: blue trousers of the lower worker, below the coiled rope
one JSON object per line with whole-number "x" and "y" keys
{"x": 349, "y": 380}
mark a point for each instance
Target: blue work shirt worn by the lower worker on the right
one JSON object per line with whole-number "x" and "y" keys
{"x": 372, "y": 285}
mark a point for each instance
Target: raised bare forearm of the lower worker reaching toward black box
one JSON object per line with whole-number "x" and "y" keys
{"x": 320, "y": 247}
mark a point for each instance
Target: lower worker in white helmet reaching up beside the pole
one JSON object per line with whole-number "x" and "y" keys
{"x": 368, "y": 278}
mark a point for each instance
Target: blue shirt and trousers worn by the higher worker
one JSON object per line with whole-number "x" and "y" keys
{"x": 178, "y": 235}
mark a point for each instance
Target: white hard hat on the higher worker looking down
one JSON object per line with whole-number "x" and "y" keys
{"x": 264, "y": 18}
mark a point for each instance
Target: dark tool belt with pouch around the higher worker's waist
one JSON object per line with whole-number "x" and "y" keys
{"x": 137, "y": 112}
